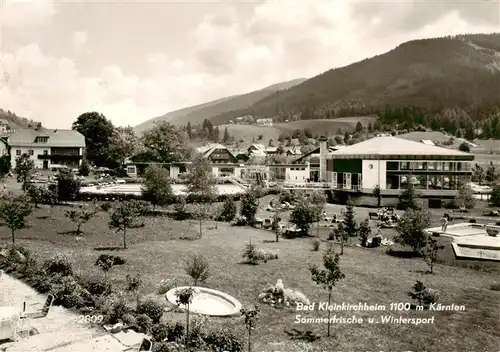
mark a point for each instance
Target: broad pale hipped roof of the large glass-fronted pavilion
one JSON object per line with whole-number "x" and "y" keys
{"x": 384, "y": 147}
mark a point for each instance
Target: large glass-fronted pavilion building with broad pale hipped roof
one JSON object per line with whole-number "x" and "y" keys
{"x": 391, "y": 163}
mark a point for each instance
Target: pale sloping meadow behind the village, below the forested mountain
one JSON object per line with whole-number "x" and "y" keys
{"x": 318, "y": 127}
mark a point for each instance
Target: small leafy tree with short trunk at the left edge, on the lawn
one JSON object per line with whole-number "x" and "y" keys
{"x": 13, "y": 212}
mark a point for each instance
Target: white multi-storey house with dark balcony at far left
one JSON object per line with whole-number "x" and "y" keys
{"x": 47, "y": 148}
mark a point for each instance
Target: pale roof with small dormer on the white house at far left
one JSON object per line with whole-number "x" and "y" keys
{"x": 57, "y": 138}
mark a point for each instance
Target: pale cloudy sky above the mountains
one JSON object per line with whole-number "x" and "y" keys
{"x": 135, "y": 60}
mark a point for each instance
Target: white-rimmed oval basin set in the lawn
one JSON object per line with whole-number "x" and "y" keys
{"x": 208, "y": 302}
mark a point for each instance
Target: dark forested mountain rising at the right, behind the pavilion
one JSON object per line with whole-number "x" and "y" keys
{"x": 433, "y": 73}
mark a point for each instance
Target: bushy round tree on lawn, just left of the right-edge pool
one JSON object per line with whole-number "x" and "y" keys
{"x": 411, "y": 228}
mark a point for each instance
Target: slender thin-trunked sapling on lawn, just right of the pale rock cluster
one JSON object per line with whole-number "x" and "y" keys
{"x": 329, "y": 276}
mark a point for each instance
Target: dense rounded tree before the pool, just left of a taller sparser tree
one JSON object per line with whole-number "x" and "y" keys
{"x": 157, "y": 187}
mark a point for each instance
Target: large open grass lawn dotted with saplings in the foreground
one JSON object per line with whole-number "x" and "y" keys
{"x": 157, "y": 252}
